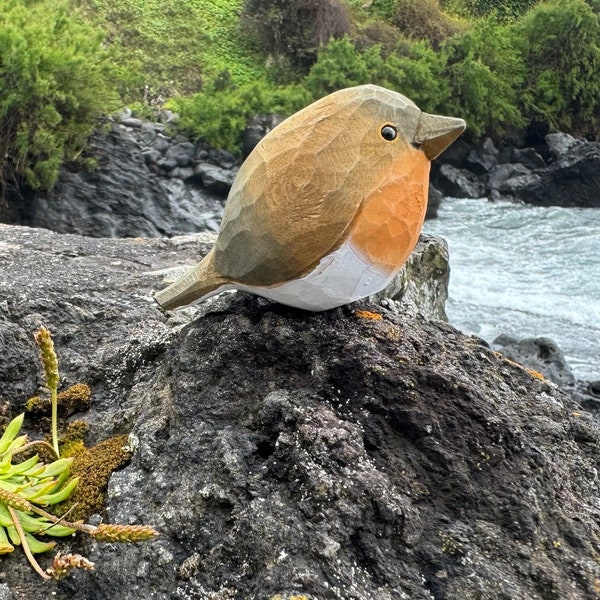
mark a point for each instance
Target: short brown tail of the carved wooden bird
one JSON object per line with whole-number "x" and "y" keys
{"x": 198, "y": 283}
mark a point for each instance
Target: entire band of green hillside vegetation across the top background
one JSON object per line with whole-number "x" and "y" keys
{"x": 500, "y": 64}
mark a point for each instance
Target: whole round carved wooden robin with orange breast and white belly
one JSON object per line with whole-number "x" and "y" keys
{"x": 328, "y": 206}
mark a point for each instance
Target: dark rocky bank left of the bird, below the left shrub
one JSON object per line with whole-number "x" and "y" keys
{"x": 121, "y": 197}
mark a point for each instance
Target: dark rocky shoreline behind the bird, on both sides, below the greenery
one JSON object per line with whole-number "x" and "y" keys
{"x": 150, "y": 181}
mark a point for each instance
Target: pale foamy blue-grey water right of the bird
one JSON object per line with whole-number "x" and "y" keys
{"x": 525, "y": 271}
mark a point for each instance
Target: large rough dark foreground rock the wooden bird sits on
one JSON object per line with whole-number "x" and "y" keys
{"x": 335, "y": 455}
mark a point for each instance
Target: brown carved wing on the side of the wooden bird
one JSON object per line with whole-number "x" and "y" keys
{"x": 293, "y": 201}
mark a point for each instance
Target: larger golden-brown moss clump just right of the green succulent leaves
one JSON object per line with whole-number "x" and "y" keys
{"x": 94, "y": 467}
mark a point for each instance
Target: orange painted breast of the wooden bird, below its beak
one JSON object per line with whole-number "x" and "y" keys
{"x": 387, "y": 227}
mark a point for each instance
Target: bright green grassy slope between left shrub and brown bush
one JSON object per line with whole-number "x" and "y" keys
{"x": 174, "y": 48}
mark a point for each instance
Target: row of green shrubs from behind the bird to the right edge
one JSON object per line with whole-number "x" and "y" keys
{"x": 498, "y": 74}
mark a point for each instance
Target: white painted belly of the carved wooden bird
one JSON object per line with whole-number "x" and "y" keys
{"x": 341, "y": 277}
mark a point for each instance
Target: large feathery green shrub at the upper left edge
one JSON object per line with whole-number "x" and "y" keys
{"x": 54, "y": 83}
